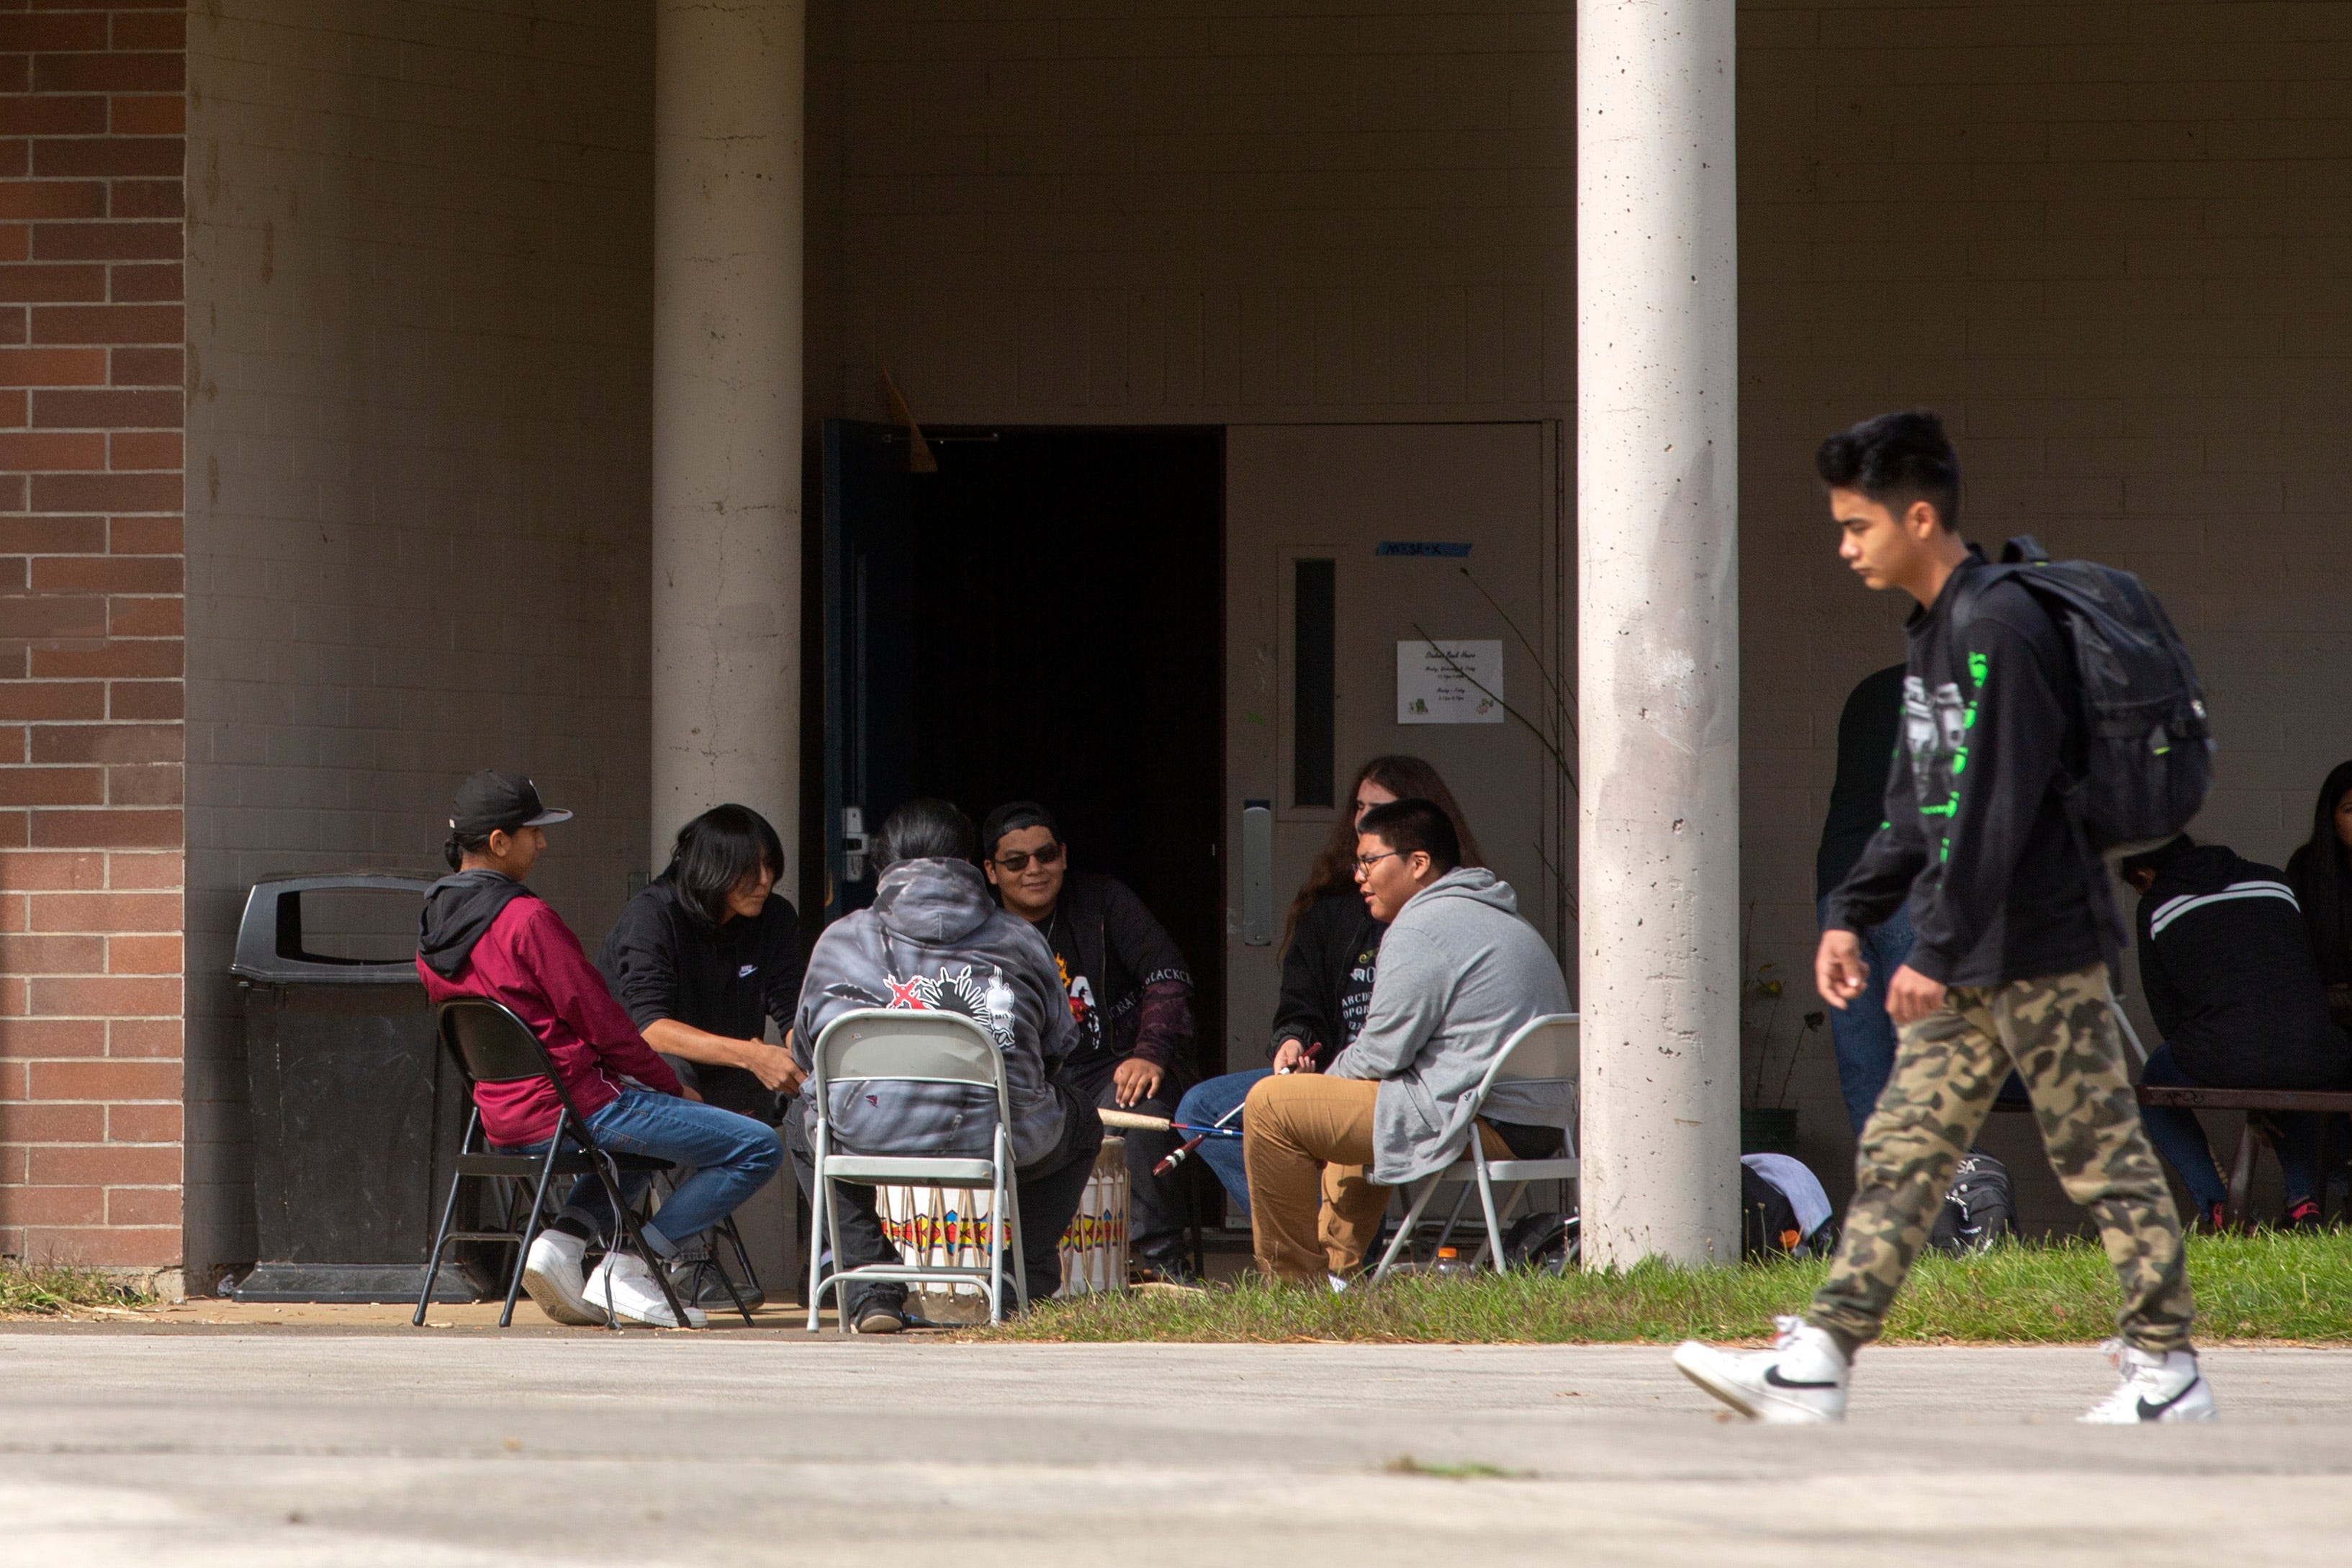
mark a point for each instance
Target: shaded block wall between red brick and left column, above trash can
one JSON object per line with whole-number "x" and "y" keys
{"x": 420, "y": 262}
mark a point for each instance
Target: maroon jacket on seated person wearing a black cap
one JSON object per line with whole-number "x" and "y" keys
{"x": 530, "y": 960}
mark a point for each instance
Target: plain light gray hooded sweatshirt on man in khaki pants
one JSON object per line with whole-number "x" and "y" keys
{"x": 1459, "y": 977}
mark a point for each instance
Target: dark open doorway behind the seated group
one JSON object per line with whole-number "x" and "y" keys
{"x": 1043, "y": 619}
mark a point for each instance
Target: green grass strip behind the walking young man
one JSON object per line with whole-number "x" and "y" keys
{"x": 2266, "y": 1287}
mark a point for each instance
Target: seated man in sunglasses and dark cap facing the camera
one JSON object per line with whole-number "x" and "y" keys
{"x": 1130, "y": 996}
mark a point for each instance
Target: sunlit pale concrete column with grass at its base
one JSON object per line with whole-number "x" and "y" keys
{"x": 1659, "y": 678}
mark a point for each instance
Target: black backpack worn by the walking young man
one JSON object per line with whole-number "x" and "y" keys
{"x": 2149, "y": 746}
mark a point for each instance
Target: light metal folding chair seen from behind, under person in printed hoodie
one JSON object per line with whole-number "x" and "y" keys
{"x": 911, "y": 1047}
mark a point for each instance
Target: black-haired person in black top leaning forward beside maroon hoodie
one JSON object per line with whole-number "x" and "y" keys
{"x": 707, "y": 956}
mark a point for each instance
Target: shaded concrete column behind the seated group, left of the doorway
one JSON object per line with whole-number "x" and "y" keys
{"x": 728, "y": 413}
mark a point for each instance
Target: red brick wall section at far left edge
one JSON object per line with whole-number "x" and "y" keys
{"x": 91, "y": 634}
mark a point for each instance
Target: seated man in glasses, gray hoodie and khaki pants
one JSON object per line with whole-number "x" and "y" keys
{"x": 1459, "y": 977}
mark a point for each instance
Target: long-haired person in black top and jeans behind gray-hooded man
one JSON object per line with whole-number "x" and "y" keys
{"x": 1330, "y": 958}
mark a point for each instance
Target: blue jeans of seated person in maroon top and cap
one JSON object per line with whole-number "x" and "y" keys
{"x": 733, "y": 1158}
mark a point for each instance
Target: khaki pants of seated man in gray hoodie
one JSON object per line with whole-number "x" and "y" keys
{"x": 1304, "y": 1139}
